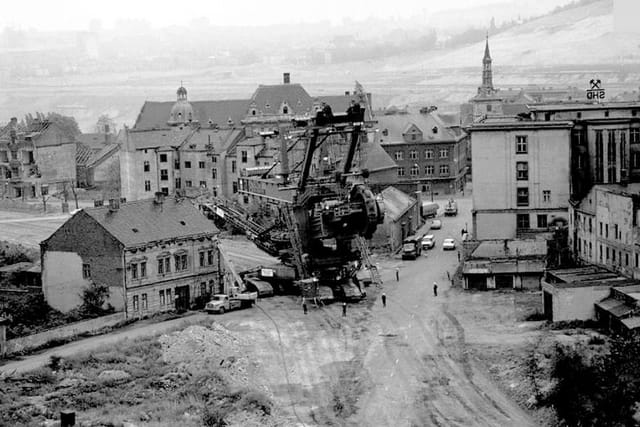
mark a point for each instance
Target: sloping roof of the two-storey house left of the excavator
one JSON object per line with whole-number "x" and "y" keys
{"x": 143, "y": 221}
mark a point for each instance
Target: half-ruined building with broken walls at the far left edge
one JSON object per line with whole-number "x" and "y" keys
{"x": 37, "y": 161}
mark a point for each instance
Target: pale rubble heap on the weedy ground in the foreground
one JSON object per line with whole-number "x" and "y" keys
{"x": 197, "y": 347}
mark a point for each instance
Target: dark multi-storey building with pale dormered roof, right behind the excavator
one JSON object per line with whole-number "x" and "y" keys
{"x": 431, "y": 156}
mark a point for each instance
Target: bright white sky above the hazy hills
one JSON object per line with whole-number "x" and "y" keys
{"x": 76, "y": 15}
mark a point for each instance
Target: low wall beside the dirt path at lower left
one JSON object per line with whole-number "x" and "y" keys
{"x": 23, "y": 344}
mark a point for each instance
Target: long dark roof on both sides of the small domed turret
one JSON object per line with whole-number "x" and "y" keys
{"x": 154, "y": 115}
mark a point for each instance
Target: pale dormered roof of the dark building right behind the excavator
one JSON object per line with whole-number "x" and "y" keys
{"x": 395, "y": 125}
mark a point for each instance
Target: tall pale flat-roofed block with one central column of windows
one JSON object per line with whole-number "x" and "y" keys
{"x": 521, "y": 176}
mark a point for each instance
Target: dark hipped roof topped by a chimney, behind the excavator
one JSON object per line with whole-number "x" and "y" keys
{"x": 268, "y": 99}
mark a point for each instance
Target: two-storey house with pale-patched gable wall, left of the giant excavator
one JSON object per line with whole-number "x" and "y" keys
{"x": 152, "y": 254}
